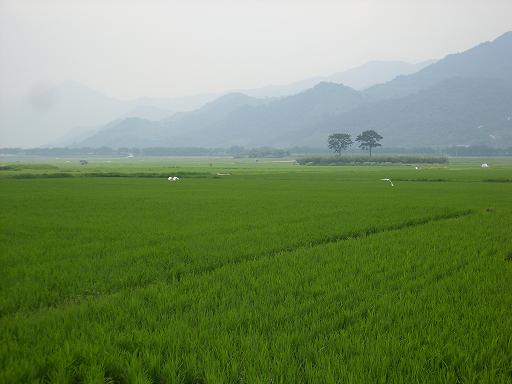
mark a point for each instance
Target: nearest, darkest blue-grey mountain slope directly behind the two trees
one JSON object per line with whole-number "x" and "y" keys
{"x": 457, "y": 111}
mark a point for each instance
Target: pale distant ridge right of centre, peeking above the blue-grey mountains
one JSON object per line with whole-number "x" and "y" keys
{"x": 361, "y": 77}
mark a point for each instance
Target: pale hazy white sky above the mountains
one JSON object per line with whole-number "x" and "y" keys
{"x": 131, "y": 48}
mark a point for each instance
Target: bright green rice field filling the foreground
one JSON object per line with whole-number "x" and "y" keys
{"x": 276, "y": 273}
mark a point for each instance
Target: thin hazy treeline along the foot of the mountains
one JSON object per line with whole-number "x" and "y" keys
{"x": 238, "y": 151}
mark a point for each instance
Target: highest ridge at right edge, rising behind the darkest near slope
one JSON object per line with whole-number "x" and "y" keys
{"x": 490, "y": 60}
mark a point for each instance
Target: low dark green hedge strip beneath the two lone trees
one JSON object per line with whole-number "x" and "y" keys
{"x": 349, "y": 160}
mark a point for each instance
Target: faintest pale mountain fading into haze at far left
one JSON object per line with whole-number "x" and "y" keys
{"x": 55, "y": 115}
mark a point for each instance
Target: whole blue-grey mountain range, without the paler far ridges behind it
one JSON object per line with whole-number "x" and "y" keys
{"x": 462, "y": 99}
